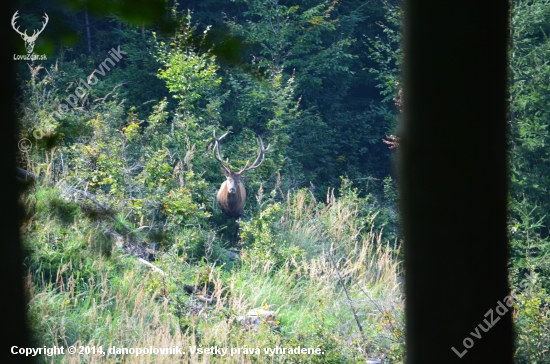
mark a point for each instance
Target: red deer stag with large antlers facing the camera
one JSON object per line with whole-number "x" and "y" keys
{"x": 232, "y": 194}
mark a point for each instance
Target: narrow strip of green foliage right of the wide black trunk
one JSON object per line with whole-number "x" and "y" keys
{"x": 529, "y": 168}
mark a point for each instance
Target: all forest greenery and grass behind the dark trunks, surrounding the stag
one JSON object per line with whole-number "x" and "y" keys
{"x": 122, "y": 150}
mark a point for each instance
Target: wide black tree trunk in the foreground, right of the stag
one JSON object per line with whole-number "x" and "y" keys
{"x": 453, "y": 181}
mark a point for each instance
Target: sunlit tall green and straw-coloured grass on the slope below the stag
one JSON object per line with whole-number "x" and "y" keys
{"x": 88, "y": 294}
